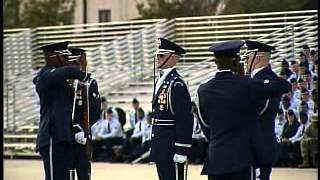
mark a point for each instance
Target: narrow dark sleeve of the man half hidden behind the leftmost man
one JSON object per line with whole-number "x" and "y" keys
{"x": 94, "y": 102}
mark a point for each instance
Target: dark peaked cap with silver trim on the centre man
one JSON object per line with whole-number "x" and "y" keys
{"x": 166, "y": 47}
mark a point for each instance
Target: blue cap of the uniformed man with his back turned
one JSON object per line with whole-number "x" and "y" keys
{"x": 227, "y": 48}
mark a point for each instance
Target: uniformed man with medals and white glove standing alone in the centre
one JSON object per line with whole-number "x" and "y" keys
{"x": 171, "y": 136}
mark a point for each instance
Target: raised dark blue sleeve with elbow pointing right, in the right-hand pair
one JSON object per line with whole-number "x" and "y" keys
{"x": 268, "y": 88}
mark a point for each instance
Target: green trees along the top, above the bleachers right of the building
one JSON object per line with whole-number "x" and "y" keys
{"x": 184, "y": 8}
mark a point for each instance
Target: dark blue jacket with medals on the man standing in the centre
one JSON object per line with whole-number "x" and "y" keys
{"x": 172, "y": 119}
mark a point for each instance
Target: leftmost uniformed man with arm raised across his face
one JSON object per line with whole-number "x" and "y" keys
{"x": 54, "y": 139}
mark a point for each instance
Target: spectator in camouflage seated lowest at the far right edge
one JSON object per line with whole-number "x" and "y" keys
{"x": 309, "y": 144}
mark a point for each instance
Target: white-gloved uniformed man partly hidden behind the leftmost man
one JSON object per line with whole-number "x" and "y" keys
{"x": 81, "y": 162}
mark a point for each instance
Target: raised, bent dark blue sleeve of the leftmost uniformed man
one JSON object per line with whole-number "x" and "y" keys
{"x": 53, "y": 76}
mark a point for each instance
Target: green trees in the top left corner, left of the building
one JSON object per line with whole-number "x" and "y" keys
{"x": 35, "y": 13}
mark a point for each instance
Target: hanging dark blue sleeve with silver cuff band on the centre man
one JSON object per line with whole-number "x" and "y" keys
{"x": 181, "y": 106}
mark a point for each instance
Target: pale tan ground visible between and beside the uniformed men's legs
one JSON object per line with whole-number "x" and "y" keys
{"x": 33, "y": 170}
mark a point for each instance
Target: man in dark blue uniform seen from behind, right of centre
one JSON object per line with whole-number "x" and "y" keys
{"x": 227, "y": 115}
